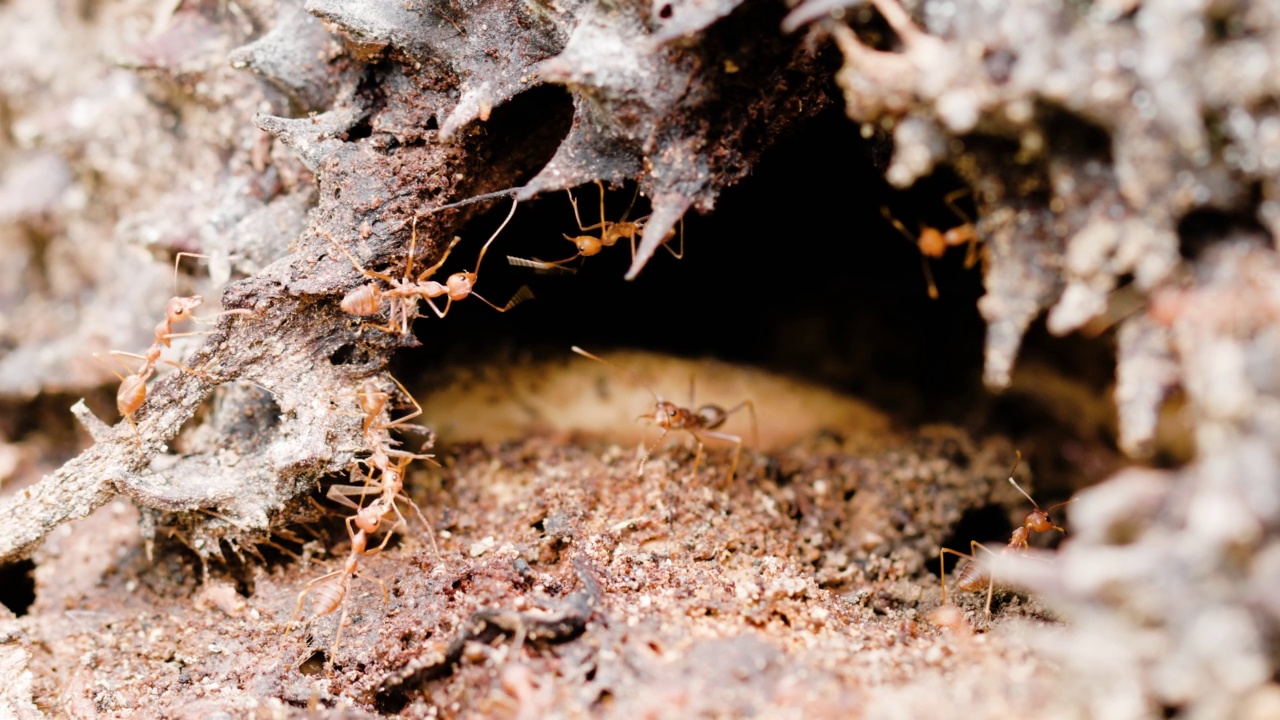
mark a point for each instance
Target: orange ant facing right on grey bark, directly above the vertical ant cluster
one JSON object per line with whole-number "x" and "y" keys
{"x": 405, "y": 293}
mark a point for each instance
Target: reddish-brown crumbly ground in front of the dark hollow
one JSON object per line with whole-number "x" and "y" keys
{"x": 566, "y": 586}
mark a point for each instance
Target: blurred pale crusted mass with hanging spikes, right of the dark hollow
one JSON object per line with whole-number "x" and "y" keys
{"x": 1113, "y": 144}
